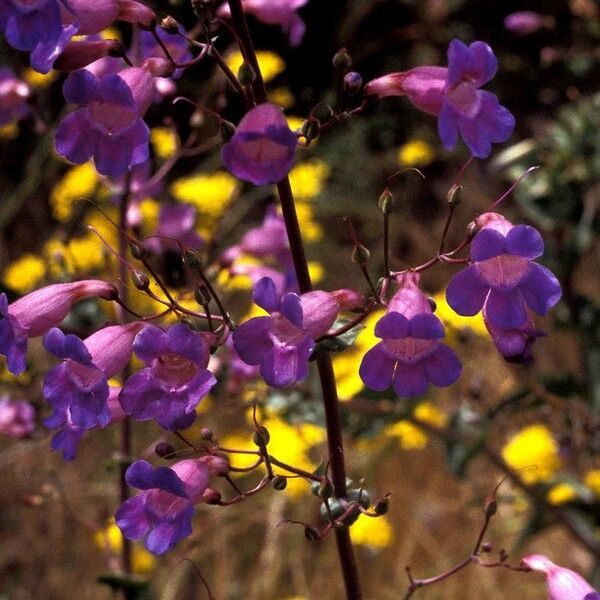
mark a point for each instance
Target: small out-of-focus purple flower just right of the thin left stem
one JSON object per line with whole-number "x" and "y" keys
{"x": 175, "y": 229}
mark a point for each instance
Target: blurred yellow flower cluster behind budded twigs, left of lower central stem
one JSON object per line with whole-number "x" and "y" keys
{"x": 289, "y": 443}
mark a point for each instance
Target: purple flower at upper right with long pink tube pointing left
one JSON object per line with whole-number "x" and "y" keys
{"x": 453, "y": 94}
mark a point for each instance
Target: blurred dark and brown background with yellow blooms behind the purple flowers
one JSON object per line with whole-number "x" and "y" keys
{"x": 535, "y": 426}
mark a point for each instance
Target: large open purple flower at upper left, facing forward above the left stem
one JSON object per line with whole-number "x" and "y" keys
{"x": 109, "y": 125}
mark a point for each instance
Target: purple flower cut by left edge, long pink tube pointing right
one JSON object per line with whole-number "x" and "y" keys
{"x": 34, "y": 314}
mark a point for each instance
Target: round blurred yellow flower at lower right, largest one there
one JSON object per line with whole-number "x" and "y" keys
{"x": 533, "y": 452}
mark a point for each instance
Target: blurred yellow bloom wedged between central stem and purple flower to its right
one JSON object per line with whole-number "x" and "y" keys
{"x": 346, "y": 363}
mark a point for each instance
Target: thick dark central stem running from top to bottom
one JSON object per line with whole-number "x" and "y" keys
{"x": 326, "y": 375}
